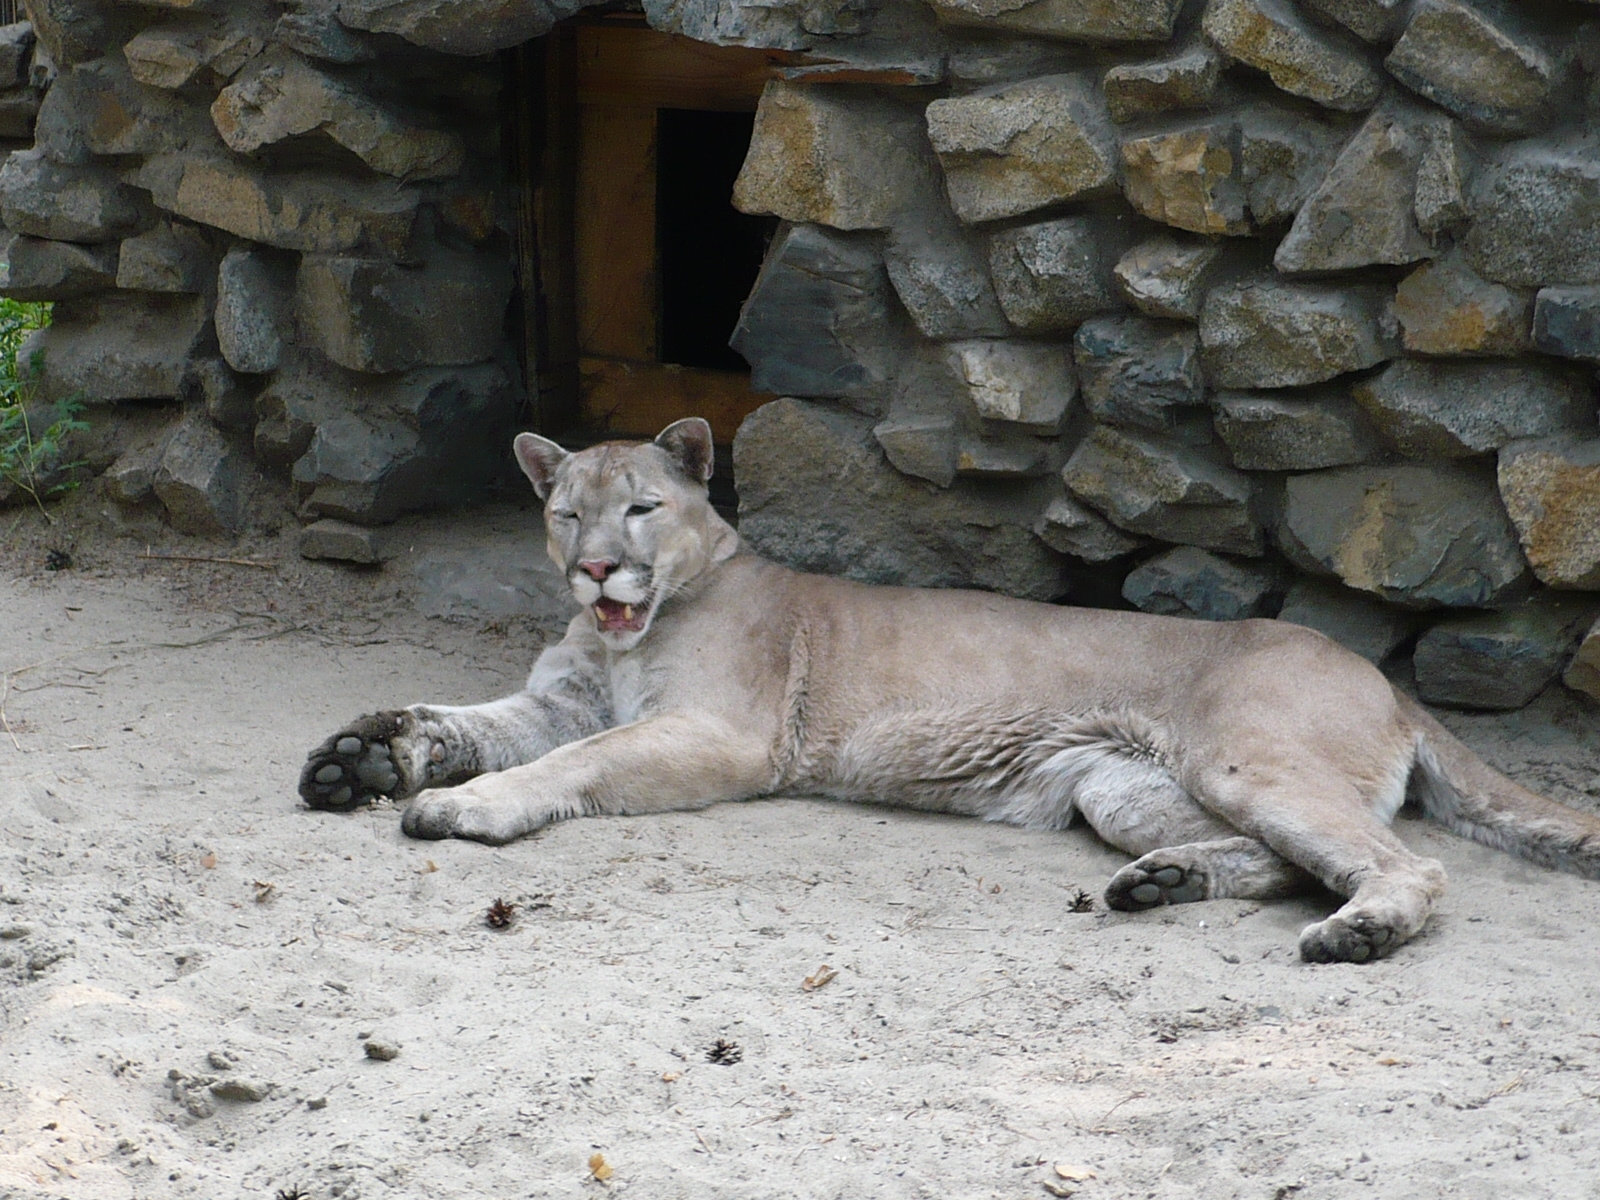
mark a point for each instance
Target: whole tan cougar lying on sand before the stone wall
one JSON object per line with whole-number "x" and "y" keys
{"x": 1242, "y": 759}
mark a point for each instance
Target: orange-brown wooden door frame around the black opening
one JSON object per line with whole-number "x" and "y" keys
{"x": 582, "y": 71}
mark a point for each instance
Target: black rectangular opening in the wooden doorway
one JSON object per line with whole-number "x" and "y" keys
{"x": 710, "y": 254}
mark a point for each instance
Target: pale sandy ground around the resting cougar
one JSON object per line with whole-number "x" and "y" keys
{"x": 193, "y": 964}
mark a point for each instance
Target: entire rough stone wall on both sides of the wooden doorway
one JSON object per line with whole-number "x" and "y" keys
{"x": 1231, "y": 308}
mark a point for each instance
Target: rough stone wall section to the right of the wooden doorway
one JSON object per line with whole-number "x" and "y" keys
{"x": 1242, "y": 308}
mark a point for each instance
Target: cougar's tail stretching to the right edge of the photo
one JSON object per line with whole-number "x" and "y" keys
{"x": 1473, "y": 799}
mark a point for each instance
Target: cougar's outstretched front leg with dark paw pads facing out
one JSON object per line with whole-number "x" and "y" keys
{"x": 401, "y": 753}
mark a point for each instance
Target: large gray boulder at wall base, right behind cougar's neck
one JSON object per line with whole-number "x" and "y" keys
{"x": 815, "y": 494}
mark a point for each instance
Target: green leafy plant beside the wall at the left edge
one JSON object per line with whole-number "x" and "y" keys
{"x": 31, "y": 460}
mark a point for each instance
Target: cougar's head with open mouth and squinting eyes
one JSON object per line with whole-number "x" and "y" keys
{"x": 630, "y": 522}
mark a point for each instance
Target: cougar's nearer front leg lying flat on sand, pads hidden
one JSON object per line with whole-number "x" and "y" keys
{"x": 662, "y": 764}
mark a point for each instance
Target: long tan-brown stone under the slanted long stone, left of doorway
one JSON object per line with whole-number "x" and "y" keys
{"x": 308, "y": 210}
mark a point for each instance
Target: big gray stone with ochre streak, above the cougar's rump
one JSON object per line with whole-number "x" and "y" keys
{"x": 1414, "y": 535}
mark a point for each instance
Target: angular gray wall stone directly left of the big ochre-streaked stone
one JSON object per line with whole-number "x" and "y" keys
{"x": 1164, "y": 490}
